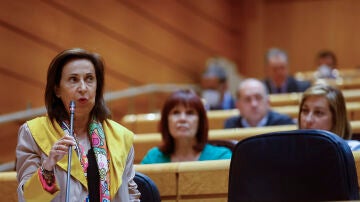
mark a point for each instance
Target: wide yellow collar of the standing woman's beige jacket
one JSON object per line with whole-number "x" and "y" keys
{"x": 118, "y": 139}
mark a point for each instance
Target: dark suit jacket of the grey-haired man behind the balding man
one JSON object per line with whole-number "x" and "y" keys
{"x": 293, "y": 85}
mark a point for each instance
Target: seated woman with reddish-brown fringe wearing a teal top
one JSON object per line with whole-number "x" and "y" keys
{"x": 184, "y": 130}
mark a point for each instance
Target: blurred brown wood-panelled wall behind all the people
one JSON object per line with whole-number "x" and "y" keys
{"x": 148, "y": 42}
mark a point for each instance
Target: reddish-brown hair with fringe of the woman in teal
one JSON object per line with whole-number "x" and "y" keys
{"x": 188, "y": 98}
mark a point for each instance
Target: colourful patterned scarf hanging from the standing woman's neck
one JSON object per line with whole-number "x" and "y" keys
{"x": 98, "y": 144}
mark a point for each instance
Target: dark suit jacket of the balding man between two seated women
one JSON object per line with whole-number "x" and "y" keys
{"x": 274, "y": 119}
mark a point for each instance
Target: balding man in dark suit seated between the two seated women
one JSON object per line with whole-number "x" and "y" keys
{"x": 254, "y": 106}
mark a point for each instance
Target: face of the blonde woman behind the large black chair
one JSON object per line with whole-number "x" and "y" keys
{"x": 316, "y": 114}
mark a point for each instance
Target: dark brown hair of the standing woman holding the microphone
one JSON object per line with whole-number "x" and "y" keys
{"x": 55, "y": 107}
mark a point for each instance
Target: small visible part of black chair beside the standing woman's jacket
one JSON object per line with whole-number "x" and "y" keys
{"x": 149, "y": 191}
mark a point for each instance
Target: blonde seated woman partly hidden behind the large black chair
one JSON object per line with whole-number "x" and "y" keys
{"x": 323, "y": 107}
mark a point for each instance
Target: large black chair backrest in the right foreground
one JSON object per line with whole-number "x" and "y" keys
{"x": 300, "y": 165}
